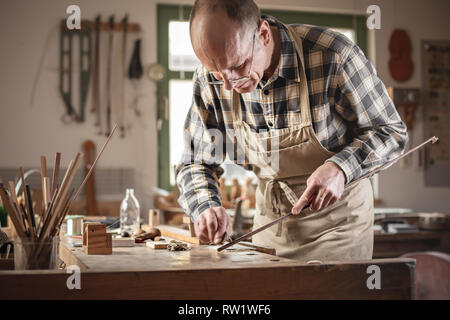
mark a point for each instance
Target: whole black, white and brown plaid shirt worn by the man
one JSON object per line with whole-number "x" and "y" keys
{"x": 351, "y": 111}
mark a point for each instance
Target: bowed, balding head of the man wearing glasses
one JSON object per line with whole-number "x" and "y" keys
{"x": 231, "y": 41}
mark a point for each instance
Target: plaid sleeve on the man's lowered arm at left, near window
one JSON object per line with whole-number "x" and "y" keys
{"x": 198, "y": 172}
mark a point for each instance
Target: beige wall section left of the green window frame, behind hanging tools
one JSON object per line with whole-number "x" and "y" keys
{"x": 29, "y": 30}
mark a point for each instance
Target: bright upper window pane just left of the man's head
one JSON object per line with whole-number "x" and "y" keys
{"x": 181, "y": 54}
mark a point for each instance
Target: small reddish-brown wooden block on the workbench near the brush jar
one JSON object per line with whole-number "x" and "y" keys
{"x": 95, "y": 239}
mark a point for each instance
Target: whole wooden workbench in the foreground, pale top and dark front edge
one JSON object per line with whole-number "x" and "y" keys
{"x": 203, "y": 273}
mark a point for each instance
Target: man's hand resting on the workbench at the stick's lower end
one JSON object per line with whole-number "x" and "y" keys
{"x": 212, "y": 224}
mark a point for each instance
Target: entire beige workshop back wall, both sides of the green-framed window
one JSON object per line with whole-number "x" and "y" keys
{"x": 31, "y": 129}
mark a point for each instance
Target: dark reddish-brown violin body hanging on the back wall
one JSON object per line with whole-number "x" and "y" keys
{"x": 400, "y": 63}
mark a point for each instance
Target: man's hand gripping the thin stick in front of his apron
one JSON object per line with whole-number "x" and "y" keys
{"x": 324, "y": 187}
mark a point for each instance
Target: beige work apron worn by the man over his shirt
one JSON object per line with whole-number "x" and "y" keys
{"x": 342, "y": 231}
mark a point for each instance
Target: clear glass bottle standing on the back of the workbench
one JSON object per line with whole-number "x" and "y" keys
{"x": 129, "y": 213}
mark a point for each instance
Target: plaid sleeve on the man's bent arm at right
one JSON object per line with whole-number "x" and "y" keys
{"x": 378, "y": 132}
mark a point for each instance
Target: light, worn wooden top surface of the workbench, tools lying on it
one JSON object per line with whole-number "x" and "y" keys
{"x": 142, "y": 258}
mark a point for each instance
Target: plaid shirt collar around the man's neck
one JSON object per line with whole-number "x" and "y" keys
{"x": 288, "y": 65}
